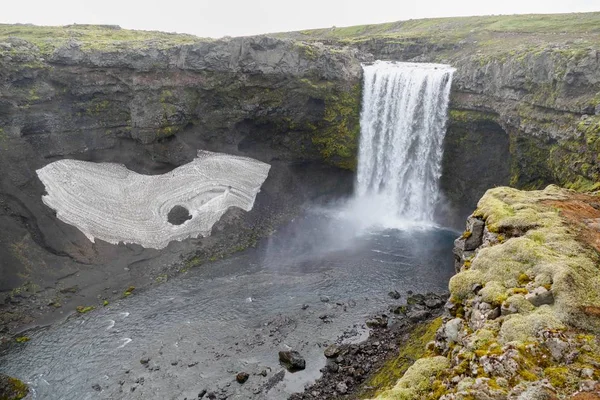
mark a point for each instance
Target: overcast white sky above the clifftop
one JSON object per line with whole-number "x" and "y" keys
{"x": 216, "y": 18}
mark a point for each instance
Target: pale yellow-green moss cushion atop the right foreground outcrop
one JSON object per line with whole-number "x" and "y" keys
{"x": 545, "y": 247}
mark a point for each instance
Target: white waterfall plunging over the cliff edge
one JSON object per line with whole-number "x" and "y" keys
{"x": 403, "y": 124}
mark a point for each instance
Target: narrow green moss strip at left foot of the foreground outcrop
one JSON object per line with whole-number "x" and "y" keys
{"x": 410, "y": 350}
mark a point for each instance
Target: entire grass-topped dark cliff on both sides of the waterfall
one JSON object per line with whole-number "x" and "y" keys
{"x": 525, "y": 112}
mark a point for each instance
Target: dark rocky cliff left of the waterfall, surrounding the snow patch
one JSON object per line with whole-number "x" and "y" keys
{"x": 151, "y": 106}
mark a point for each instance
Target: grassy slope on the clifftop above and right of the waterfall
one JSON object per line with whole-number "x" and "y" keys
{"x": 490, "y": 34}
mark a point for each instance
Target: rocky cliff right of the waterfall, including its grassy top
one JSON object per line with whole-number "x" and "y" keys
{"x": 536, "y": 78}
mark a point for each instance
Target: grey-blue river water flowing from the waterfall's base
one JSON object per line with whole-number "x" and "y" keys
{"x": 233, "y": 315}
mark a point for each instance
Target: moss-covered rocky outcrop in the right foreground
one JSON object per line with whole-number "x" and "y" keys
{"x": 525, "y": 306}
